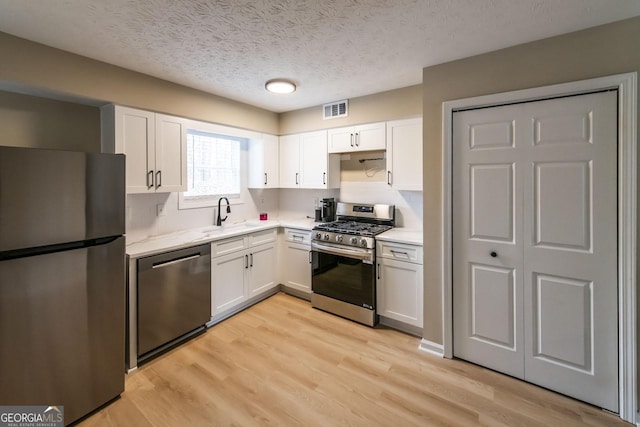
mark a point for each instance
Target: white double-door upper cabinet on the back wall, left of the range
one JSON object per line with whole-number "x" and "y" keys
{"x": 305, "y": 163}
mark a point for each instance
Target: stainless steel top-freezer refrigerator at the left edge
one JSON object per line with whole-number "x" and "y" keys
{"x": 62, "y": 279}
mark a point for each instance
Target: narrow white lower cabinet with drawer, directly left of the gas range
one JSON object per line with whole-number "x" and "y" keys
{"x": 296, "y": 270}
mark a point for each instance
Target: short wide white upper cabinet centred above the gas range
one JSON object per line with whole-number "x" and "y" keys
{"x": 357, "y": 138}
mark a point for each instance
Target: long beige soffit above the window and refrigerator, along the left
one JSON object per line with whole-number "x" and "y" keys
{"x": 41, "y": 69}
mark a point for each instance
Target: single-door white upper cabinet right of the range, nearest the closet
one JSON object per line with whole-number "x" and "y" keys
{"x": 404, "y": 154}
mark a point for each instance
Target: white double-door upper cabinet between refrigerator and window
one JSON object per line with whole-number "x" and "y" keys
{"x": 155, "y": 146}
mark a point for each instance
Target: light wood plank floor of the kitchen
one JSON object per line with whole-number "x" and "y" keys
{"x": 283, "y": 363}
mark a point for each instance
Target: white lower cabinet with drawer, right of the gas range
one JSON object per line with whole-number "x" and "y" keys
{"x": 399, "y": 286}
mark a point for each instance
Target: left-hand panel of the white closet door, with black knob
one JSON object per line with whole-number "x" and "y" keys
{"x": 487, "y": 206}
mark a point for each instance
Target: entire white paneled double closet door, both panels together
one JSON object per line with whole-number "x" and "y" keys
{"x": 535, "y": 186}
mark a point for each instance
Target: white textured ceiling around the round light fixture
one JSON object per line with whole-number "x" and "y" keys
{"x": 332, "y": 49}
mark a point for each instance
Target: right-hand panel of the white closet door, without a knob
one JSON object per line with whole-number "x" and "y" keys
{"x": 570, "y": 254}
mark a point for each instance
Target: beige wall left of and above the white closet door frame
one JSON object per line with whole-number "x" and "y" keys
{"x": 600, "y": 51}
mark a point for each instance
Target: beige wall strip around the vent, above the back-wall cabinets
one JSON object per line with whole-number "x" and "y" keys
{"x": 390, "y": 105}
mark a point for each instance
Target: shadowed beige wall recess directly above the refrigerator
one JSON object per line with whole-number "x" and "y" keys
{"x": 29, "y": 121}
